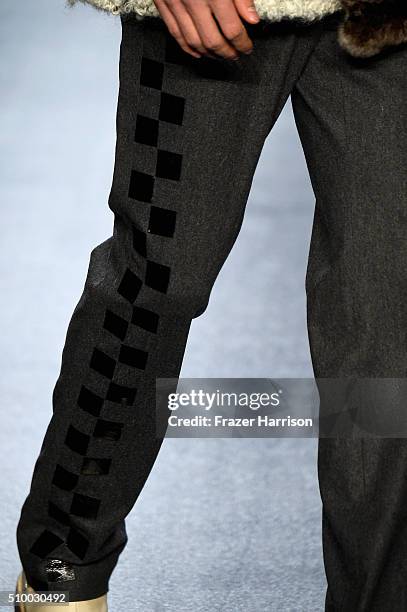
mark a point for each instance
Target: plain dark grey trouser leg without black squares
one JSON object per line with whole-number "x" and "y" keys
{"x": 352, "y": 116}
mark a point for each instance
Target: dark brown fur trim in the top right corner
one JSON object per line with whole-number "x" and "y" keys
{"x": 372, "y": 25}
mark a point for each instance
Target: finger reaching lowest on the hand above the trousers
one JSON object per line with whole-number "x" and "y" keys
{"x": 212, "y": 38}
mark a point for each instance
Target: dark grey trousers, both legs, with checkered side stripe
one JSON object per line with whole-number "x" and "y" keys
{"x": 189, "y": 135}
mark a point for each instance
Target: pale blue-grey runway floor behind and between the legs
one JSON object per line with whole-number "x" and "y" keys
{"x": 222, "y": 525}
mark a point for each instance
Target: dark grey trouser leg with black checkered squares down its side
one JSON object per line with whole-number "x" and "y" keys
{"x": 189, "y": 134}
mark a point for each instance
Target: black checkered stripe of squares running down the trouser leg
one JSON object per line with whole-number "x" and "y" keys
{"x": 162, "y": 222}
